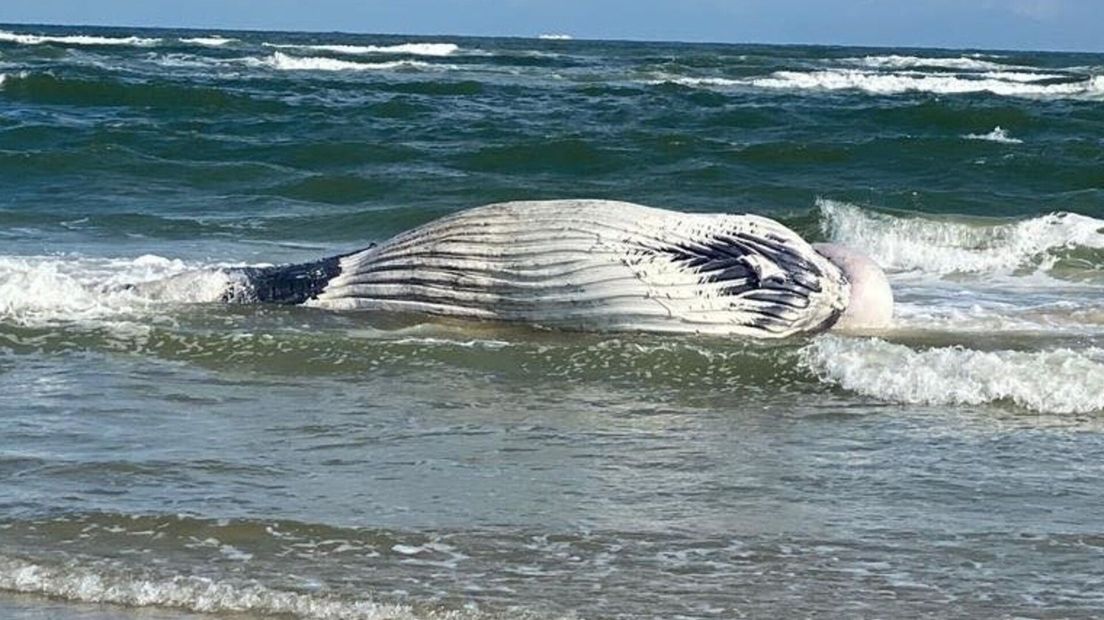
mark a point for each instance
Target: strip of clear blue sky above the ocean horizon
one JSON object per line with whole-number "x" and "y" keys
{"x": 1001, "y": 25}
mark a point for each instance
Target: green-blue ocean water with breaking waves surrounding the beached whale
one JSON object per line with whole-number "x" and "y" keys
{"x": 187, "y": 461}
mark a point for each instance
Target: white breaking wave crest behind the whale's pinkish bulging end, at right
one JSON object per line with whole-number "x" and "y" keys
{"x": 941, "y": 247}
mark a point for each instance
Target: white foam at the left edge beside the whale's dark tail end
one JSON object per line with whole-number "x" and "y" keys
{"x": 39, "y": 291}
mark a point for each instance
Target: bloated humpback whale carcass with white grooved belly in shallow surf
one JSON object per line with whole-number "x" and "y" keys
{"x": 593, "y": 265}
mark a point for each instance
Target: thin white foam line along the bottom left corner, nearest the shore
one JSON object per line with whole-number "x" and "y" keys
{"x": 193, "y": 594}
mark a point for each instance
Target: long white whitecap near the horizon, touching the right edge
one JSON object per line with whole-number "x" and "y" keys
{"x": 944, "y": 84}
